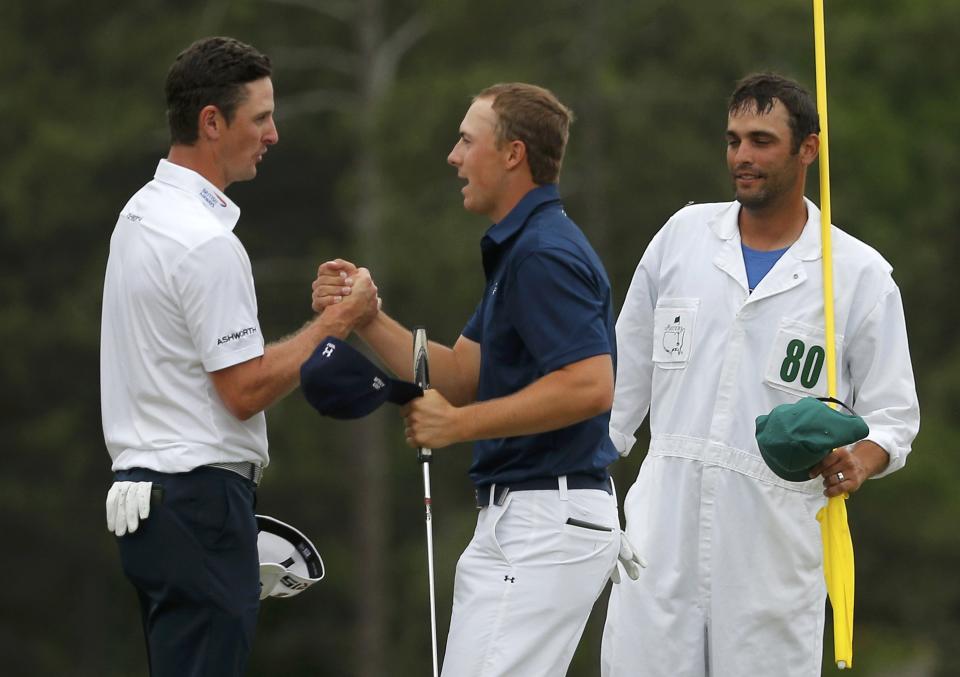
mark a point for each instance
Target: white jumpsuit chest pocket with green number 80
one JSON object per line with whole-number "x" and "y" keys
{"x": 797, "y": 361}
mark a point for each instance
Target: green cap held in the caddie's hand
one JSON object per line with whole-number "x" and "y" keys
{"x": 795, "y": 437}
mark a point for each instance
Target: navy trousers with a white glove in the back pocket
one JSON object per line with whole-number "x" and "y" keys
{"x": 194, "y": 564}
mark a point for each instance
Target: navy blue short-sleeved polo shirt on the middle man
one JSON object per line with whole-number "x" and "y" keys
{"x": 547, "y": 304}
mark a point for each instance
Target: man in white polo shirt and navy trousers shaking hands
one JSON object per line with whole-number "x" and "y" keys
{"x": 185, "y": 375}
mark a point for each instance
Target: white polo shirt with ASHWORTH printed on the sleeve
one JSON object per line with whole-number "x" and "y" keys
{"x": 178, "y": 302}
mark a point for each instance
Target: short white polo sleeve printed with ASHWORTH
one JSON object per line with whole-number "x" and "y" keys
{"x": 219, "y": 303}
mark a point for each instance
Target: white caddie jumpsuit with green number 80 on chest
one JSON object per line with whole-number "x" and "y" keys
{"x": 735, "y": 582}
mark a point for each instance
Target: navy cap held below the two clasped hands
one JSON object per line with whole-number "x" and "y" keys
{"x": 340, "y": 382}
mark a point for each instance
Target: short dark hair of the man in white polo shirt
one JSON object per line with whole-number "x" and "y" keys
{"x": 210, "y": 71}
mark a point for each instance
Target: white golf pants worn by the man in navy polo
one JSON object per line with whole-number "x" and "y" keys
{"x": 527, "y": 582}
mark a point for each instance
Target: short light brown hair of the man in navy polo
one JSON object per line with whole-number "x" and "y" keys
{"x": 535, "y": 116}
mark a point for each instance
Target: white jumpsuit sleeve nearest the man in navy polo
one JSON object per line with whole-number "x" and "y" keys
{"x": 631, "y": 400}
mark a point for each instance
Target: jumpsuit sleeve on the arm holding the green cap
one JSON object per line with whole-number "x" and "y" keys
{"x": 884, "y": 392}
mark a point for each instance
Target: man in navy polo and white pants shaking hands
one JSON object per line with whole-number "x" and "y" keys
{"x": 530, "y": 381}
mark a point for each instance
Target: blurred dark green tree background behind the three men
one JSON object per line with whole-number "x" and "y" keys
{"x": 370, "y": 95}
